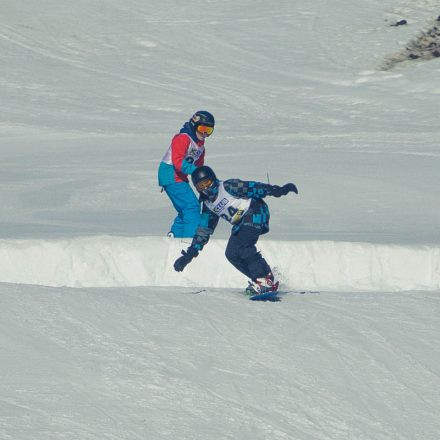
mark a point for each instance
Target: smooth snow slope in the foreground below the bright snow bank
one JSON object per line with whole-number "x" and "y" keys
{"x": 147, "y": 363}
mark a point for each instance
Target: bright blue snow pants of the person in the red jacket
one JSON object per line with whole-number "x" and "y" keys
{"x": 188, "y": 209}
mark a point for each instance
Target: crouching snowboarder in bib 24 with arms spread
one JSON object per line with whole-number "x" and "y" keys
{"x": 241, "y": 204}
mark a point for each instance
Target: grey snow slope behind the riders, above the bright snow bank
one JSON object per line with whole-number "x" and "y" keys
{"x": 91, "y": 93}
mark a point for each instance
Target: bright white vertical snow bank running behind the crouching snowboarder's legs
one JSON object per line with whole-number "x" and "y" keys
{"x": 109, "y": 261}
